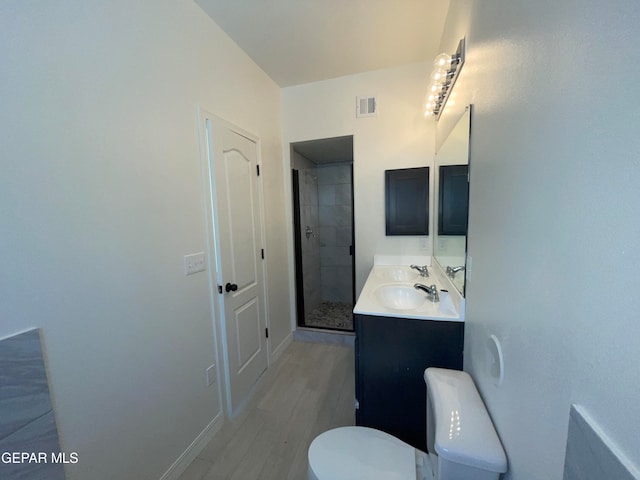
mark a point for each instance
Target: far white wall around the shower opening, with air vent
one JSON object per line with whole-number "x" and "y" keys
{"x": 398, "y": 137}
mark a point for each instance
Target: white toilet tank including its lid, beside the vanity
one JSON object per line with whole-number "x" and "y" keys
{"x": 461, "y": 439}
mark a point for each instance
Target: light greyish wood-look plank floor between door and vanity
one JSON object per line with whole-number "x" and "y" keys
{"x": 309, "y": 390}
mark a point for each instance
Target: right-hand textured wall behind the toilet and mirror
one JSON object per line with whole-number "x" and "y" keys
{"x": 554, "y": 227}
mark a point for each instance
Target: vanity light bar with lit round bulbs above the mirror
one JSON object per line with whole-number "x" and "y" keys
{"x": 444, "y": 76}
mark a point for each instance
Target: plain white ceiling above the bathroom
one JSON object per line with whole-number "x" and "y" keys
{"x": 303, "y": 41}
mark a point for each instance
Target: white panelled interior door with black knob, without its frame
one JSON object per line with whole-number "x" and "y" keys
{"x": 239, "y": 257}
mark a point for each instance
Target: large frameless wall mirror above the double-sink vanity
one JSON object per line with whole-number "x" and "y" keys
{"x": 452, "y": 201}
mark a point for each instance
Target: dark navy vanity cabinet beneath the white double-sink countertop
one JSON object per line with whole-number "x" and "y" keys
{"x": 391, "y": 356}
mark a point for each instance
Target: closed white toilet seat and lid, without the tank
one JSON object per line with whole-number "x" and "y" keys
{"x": 349, "y": 453}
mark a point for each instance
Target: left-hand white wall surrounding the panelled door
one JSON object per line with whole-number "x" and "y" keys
{"x": 100, "y": 198}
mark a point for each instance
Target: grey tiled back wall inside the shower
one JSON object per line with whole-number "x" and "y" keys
{"x": 335, "y": 232}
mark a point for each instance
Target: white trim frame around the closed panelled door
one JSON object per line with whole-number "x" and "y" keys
{"x": 212, "y": 230}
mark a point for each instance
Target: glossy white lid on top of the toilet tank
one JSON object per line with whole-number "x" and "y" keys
{"x": 464, "y": 431}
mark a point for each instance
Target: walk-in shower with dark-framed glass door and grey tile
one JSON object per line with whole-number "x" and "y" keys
{"x": 322, "y": 178}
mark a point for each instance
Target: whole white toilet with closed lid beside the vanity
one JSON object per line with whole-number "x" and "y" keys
{"x": 461, "y": 439}
